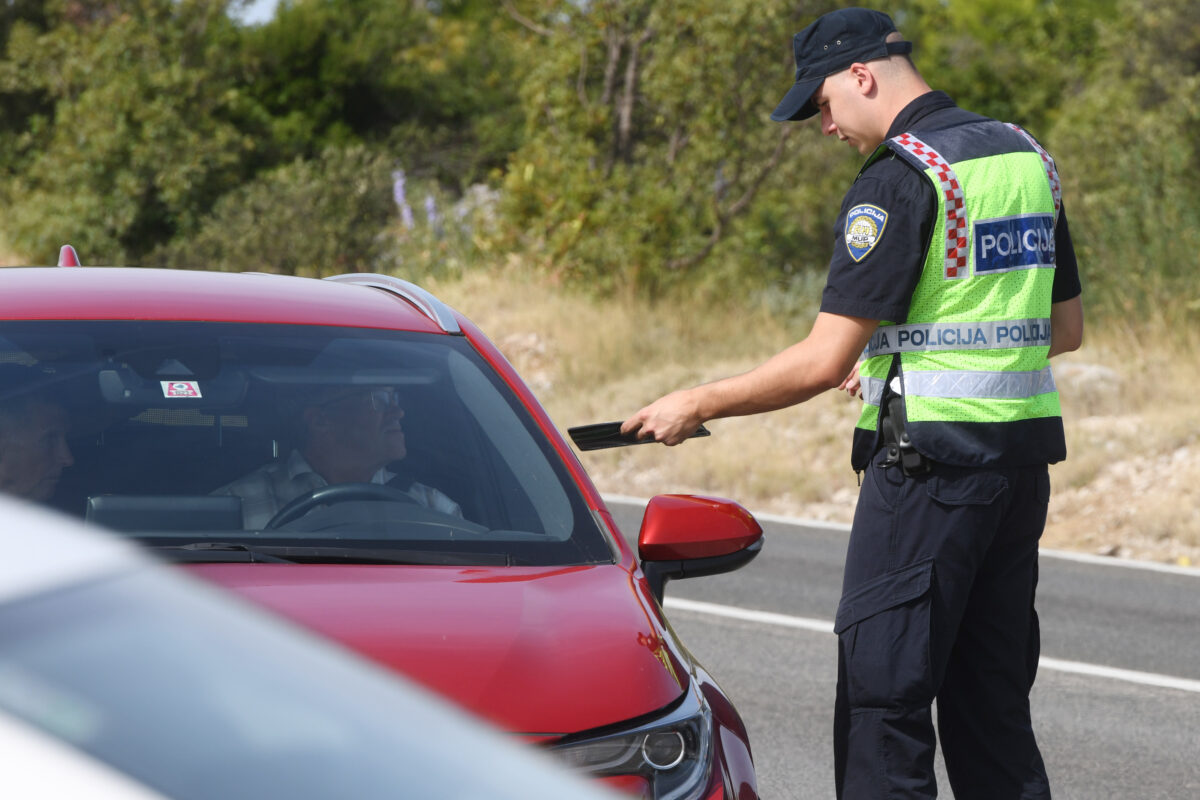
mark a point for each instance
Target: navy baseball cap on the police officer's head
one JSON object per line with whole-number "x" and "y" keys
{"x": 831, "y": 45}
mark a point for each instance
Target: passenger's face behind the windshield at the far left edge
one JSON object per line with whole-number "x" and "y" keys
{"x": 34, "y": 428}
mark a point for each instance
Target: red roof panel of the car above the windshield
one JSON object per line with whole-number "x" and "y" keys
{"x": 124, "y": 293}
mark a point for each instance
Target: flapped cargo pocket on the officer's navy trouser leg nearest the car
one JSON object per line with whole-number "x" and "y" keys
{"x": 885, "y": 631}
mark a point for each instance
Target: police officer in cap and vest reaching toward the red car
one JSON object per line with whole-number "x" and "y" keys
{"x": 955, "y": 279}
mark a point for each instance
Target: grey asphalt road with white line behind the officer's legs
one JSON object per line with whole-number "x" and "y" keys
{"x": 1117, "y": 705}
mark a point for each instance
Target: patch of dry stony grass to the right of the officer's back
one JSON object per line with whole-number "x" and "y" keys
{"x": 1132, "y": 485}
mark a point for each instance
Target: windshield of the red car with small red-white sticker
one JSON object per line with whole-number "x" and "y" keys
{"x": 296, "y": 443}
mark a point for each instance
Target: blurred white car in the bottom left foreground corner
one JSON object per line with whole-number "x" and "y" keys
{"x": 121, "y": 678}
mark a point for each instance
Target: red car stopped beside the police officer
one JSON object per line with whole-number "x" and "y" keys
{"x": 357, "y": 456}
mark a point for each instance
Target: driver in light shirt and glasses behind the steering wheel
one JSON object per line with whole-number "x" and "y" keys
{"x": 345, "y": 436}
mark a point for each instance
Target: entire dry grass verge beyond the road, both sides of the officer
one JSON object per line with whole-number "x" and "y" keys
{"x": 1131, "y": 486}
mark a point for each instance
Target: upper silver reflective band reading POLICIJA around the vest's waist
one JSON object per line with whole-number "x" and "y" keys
{"x": 920, "y": 338}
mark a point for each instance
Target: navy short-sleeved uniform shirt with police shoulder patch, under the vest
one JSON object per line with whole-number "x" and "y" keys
{"x": 881, "y": 285}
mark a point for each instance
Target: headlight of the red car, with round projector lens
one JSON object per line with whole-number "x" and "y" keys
{"x": 671, "y": 754}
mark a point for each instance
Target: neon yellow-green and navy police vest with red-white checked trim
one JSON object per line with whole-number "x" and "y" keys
{"x": 970, "y": 359}
